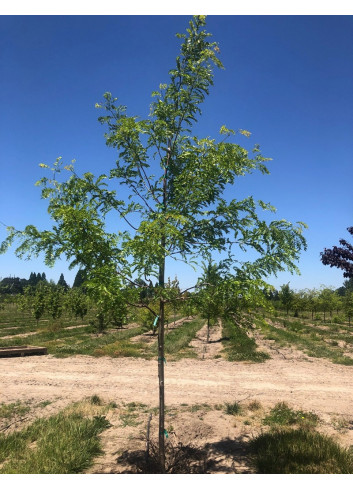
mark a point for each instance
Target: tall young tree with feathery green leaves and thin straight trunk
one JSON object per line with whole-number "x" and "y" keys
{"x": 176, "y": 208}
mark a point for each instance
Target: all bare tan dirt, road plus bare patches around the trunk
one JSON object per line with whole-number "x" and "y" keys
{"x": 304, "y": 383}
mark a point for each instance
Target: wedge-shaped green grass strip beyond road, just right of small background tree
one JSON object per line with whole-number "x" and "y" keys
{"x": 238, "y": 346}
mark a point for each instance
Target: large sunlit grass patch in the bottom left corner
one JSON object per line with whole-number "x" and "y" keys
{"x": 62, "y": 444}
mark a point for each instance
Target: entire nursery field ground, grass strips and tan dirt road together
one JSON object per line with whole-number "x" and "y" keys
{"x": 280, "y": 382}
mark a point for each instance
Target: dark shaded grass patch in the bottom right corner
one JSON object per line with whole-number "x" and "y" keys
{"x": 299, "y": 452}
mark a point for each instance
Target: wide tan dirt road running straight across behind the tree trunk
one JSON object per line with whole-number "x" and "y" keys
{"x": 313, "y": 384}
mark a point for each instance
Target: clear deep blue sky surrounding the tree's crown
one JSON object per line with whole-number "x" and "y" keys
{"x": 287, "y": 79}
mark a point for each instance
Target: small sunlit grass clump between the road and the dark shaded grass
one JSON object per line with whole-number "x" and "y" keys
{"x": 283, "y": 415}
